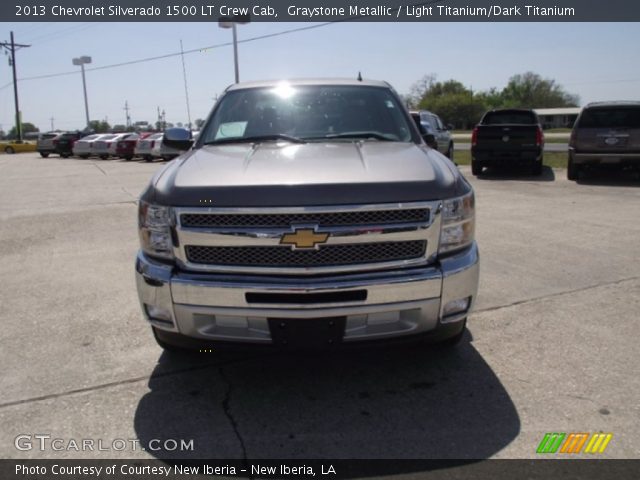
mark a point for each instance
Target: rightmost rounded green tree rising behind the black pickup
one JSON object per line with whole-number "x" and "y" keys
{"x": 530, "y": 90}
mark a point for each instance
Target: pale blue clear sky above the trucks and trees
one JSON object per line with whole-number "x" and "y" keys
{"x": 597, "y": 61}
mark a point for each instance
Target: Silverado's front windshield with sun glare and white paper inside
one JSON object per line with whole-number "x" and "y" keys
{"x": 308, "y": 113}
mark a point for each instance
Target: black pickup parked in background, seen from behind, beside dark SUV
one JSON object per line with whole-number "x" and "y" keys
{"x": 507, "y": 137}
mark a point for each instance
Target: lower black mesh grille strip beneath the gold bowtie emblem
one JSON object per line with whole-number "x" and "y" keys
{"x": 326, "y": 255}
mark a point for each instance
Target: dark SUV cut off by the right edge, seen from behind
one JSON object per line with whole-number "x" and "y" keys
{"x": 605, "y": 133}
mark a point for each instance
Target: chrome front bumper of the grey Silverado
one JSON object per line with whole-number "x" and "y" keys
{"x": 394, "y": 303}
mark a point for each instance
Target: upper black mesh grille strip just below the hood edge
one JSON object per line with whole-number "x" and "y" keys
{"x": 322, "y": 219}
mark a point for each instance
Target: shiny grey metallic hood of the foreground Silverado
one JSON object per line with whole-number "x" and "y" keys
{"x": 285, "y": 174}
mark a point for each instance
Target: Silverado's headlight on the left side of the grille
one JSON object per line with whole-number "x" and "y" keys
{"x": 154, "y": 224}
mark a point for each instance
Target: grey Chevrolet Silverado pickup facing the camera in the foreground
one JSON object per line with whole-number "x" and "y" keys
{"x": 307, "y": 213}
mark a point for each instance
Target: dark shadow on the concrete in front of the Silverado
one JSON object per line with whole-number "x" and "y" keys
{"x": 414, "y": 401}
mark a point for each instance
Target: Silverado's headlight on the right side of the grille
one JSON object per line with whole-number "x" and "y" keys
{"x": 458, "y": 223}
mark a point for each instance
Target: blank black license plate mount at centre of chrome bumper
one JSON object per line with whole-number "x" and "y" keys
{"x": 307, "y": 332}
